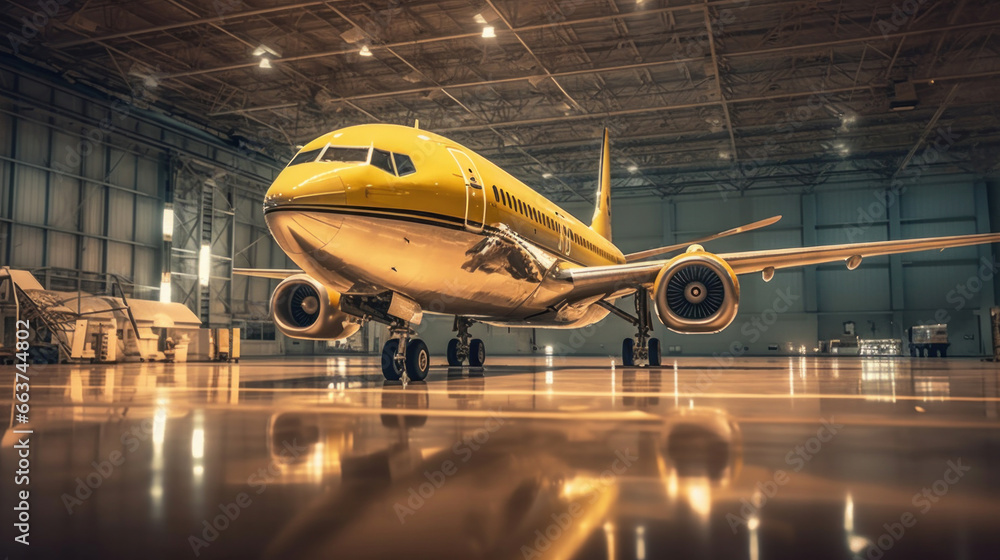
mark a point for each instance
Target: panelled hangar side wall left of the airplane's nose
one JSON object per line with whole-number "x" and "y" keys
{"x": 85, "y": 179}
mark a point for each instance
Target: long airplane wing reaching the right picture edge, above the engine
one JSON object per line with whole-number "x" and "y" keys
{"x": 614, "y": 277}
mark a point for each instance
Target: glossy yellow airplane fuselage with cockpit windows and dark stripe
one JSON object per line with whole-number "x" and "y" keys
{"x": 442, "y": 226}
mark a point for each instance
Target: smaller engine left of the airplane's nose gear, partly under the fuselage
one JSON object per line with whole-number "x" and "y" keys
{"x": 303, "y": 308}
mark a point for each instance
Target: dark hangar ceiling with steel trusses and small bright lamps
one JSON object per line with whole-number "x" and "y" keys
{"x": 709, "y": 95}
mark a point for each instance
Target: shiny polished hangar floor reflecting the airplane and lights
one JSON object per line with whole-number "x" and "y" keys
{"x": 532, "y": 458}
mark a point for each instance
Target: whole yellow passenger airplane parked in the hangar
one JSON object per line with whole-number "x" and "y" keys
{"x": 388, "y": 222}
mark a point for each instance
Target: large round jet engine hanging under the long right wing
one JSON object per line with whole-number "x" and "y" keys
{"x": 696, "y": 292}
